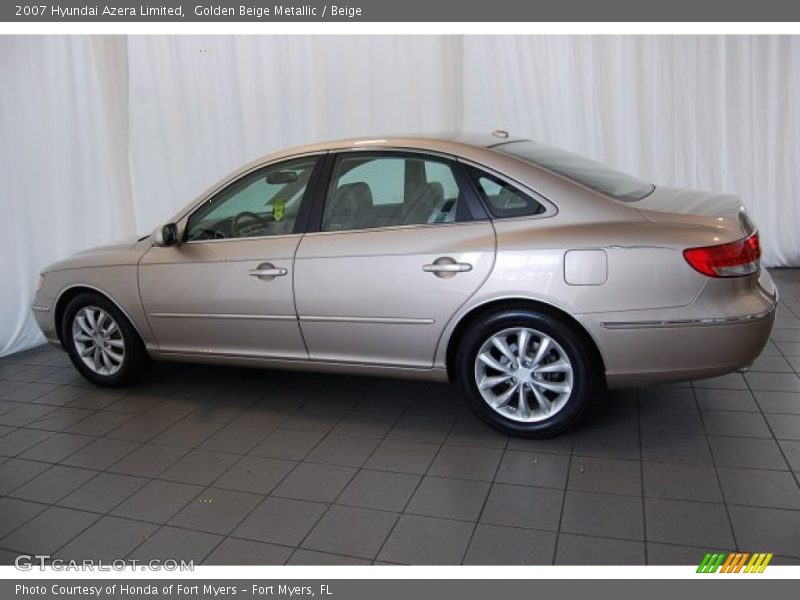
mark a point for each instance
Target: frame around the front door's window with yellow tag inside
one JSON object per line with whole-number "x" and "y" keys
{"x": 303, "y": 213}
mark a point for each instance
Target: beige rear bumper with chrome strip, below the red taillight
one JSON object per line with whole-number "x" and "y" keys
{"x": 692, "y": 345}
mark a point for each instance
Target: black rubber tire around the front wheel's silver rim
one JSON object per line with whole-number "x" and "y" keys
{"x": 135, "y": 361}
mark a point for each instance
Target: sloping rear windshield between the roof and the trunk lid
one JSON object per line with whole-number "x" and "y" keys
{"x": 585, "y": 171}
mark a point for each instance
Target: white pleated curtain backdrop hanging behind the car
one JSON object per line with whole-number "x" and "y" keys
{"x": 103, "y": 137}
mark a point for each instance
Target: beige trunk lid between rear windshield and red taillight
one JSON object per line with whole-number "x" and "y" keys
{"x": 723, "y": 212}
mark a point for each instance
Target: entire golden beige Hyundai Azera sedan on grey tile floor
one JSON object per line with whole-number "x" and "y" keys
{"x": 528, "y": 275}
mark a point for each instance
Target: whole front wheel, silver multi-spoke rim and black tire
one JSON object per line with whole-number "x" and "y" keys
{"x": 87, "y": 321}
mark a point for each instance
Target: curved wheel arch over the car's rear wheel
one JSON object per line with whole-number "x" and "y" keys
{"x": 481, "y": 310}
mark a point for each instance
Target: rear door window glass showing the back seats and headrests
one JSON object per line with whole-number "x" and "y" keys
{"x": 383, "y": 191}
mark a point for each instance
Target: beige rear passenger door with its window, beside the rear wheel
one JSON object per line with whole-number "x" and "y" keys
{"x": 401, "y": 245}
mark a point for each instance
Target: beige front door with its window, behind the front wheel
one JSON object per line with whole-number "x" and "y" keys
{"x": 227, "y": 289}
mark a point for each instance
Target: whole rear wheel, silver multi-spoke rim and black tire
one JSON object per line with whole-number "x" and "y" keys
{"x": 554, "y": 399}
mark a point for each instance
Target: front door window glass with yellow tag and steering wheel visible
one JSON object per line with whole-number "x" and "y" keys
{"x": 262, "y": 203}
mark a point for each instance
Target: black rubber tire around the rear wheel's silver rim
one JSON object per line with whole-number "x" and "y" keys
{"x": 564, "y": 334}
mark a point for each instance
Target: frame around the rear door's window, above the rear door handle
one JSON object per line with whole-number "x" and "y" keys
{"x": 474, "y": 205}
